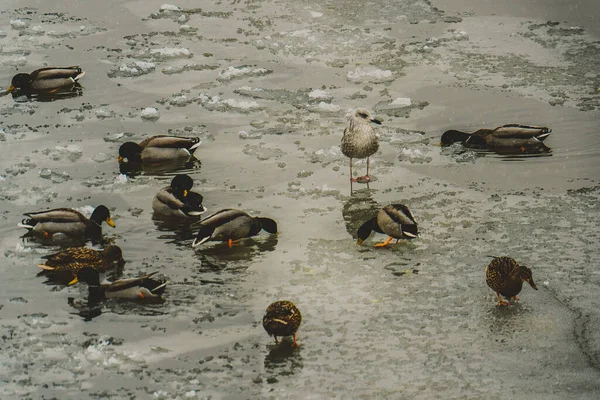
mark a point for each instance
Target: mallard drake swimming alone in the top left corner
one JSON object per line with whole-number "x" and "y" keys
{"x": 47, "y": 79}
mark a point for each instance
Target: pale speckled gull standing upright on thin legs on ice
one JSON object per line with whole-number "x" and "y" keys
{"x": 360, "y": 140}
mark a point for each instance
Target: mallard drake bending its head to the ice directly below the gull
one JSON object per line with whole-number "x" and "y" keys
{"x": 395, "y": 220}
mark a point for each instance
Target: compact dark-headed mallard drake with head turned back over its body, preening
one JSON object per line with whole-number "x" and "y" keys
{"x": 177, "y": 200}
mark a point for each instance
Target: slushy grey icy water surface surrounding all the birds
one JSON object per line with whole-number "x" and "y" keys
{"x": 266, "y": 85}
